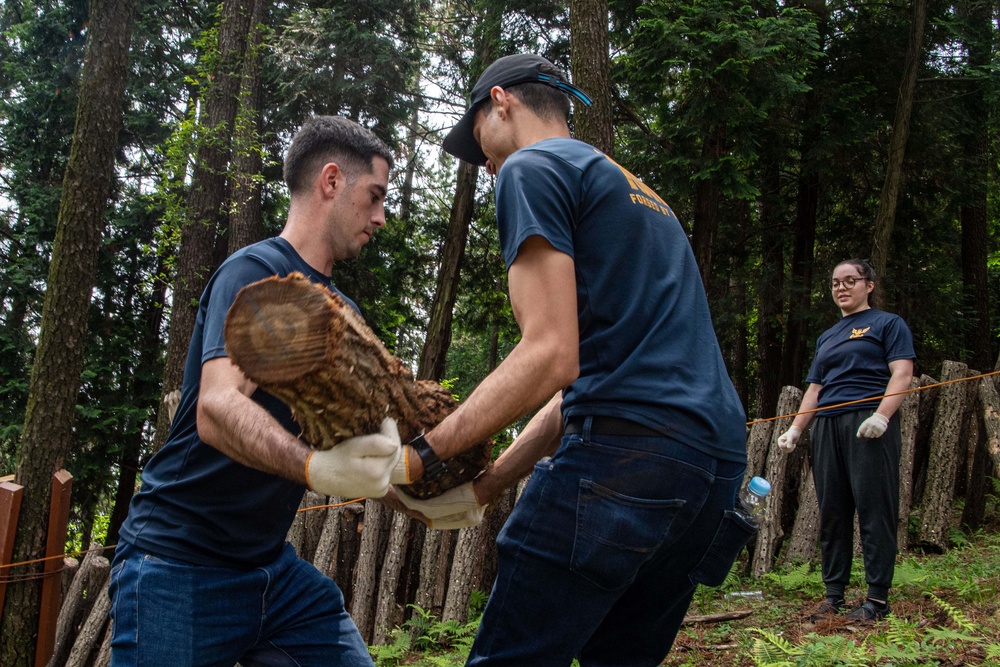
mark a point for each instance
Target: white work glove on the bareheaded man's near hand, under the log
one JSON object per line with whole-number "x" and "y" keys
{"x": 359, "y": 467}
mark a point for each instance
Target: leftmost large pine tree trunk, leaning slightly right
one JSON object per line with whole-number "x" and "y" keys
{"x": 48, "y": 435}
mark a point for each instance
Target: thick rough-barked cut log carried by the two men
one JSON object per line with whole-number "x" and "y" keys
{"x": 306, "y": 346}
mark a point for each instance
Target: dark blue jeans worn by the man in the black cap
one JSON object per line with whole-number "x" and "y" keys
{"x": 603, "y": 551}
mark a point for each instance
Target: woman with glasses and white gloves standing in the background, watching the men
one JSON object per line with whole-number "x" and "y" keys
{"x": 856, "y": 443}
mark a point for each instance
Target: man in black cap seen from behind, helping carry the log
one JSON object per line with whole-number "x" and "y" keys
{"x": 601, "y": 556}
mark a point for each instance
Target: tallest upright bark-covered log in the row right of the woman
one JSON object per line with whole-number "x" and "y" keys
{"x": 937, "y": 505}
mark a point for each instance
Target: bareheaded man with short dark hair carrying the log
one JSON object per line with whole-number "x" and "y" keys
{"x": 202, "y": 574}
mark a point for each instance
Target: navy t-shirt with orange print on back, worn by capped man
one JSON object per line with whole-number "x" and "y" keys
{"x": 648, "y": 350}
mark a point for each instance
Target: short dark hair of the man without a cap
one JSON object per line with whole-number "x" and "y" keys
{"x": 323, "y": 139}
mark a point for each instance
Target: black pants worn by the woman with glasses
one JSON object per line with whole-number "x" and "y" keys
{"x": 862, "y": 474}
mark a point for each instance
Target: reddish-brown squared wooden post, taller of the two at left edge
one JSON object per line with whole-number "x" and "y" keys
{"x": 55, "y": 545}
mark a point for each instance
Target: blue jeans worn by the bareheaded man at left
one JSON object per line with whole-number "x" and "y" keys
{"x": 167, "y": 612}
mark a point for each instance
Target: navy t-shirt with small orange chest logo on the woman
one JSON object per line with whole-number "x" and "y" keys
{"x": 852, "y": 359}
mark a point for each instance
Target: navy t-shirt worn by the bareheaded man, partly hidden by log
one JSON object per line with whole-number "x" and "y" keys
{"x": 196, "y": 504}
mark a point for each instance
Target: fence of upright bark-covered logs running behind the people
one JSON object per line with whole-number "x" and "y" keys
{"x": 376, "y": 556}
